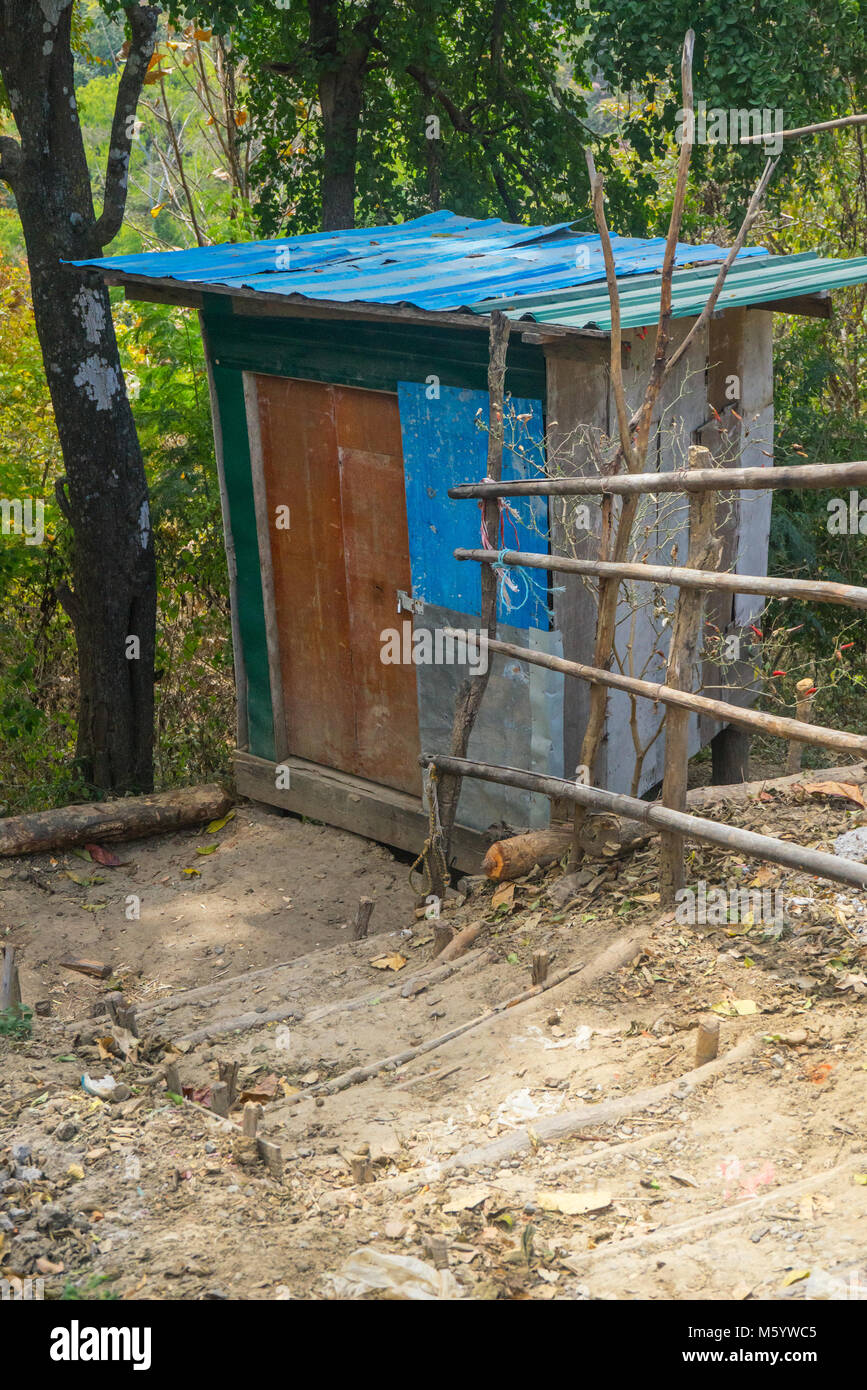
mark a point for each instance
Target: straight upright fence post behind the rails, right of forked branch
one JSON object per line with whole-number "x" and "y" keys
{"x": 683, "y": 654}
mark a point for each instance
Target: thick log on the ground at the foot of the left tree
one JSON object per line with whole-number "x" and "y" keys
{"x": 129, "y": 818}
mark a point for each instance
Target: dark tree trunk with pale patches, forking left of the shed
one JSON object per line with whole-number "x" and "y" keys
{"x": 105, "y": 494}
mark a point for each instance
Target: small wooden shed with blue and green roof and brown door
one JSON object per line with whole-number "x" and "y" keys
{"x": 349, "y": 394}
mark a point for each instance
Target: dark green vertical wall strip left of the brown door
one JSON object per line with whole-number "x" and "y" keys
{"x": 251, "y": 607}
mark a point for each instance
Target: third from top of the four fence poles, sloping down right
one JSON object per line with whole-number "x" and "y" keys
{"x": 719, "y": 710}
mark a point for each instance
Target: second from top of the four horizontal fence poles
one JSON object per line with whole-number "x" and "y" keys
{"x": 726, "y": 582}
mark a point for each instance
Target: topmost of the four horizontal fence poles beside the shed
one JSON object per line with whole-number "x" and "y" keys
{"x": 679, "y": 480}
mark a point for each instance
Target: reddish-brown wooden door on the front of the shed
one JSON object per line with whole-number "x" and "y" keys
{"x": 333, "y": 457}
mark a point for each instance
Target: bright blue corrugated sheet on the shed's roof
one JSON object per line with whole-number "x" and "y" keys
{"x": 438, "y": 262}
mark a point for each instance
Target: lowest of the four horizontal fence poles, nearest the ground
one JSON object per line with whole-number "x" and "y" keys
{"x": 695, "y": 828}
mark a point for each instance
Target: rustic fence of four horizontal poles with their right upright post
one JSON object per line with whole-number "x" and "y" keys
{"x": 698, "y": 483}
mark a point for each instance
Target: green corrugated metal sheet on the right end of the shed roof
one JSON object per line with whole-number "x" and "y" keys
{"x": 750, "y": 283}
